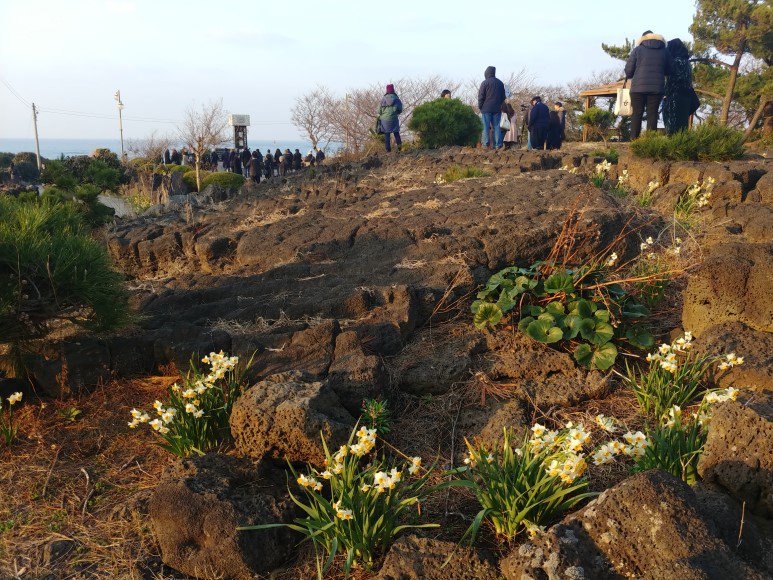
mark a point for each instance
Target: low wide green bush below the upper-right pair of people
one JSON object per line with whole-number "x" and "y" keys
{"x": 705, "y": 143}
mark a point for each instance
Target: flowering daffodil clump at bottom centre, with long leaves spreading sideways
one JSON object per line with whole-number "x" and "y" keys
{"x": 368, "y": 503}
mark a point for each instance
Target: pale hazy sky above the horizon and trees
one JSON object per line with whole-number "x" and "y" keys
{"x": 70, "y": 56}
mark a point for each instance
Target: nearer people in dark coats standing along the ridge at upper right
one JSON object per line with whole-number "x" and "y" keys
{"x": 660, "y": 77}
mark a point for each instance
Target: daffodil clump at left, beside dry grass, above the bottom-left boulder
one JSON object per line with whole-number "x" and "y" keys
{"x": 195, "y": 419}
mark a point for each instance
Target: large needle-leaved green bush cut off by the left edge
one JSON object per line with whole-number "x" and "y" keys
{"x": 52, "y": 269}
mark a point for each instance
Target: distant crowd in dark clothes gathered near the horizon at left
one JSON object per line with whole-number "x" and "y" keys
{"x": 251, "y": 164}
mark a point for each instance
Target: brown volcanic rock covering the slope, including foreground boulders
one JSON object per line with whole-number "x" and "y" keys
{"x": 354, "y": 280}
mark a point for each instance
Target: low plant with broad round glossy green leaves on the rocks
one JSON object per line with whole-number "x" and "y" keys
{"x": 570, "y": 305}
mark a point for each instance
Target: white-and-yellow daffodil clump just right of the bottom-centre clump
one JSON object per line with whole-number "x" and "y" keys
{"x": 521, "y": 488}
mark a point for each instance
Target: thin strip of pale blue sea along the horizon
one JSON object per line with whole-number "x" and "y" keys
{"x": 54, "y": 148}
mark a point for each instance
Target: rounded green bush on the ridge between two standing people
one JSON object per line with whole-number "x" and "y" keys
{"x": 444, "y": 122}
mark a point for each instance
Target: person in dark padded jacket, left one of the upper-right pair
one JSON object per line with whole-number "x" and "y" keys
{"x": 648, "y": 66}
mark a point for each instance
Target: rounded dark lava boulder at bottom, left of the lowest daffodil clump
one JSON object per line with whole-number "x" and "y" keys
{"x": 200, "y": 502}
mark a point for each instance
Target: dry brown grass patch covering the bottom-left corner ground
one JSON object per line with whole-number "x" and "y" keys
{"x": 87, "y": 481}
